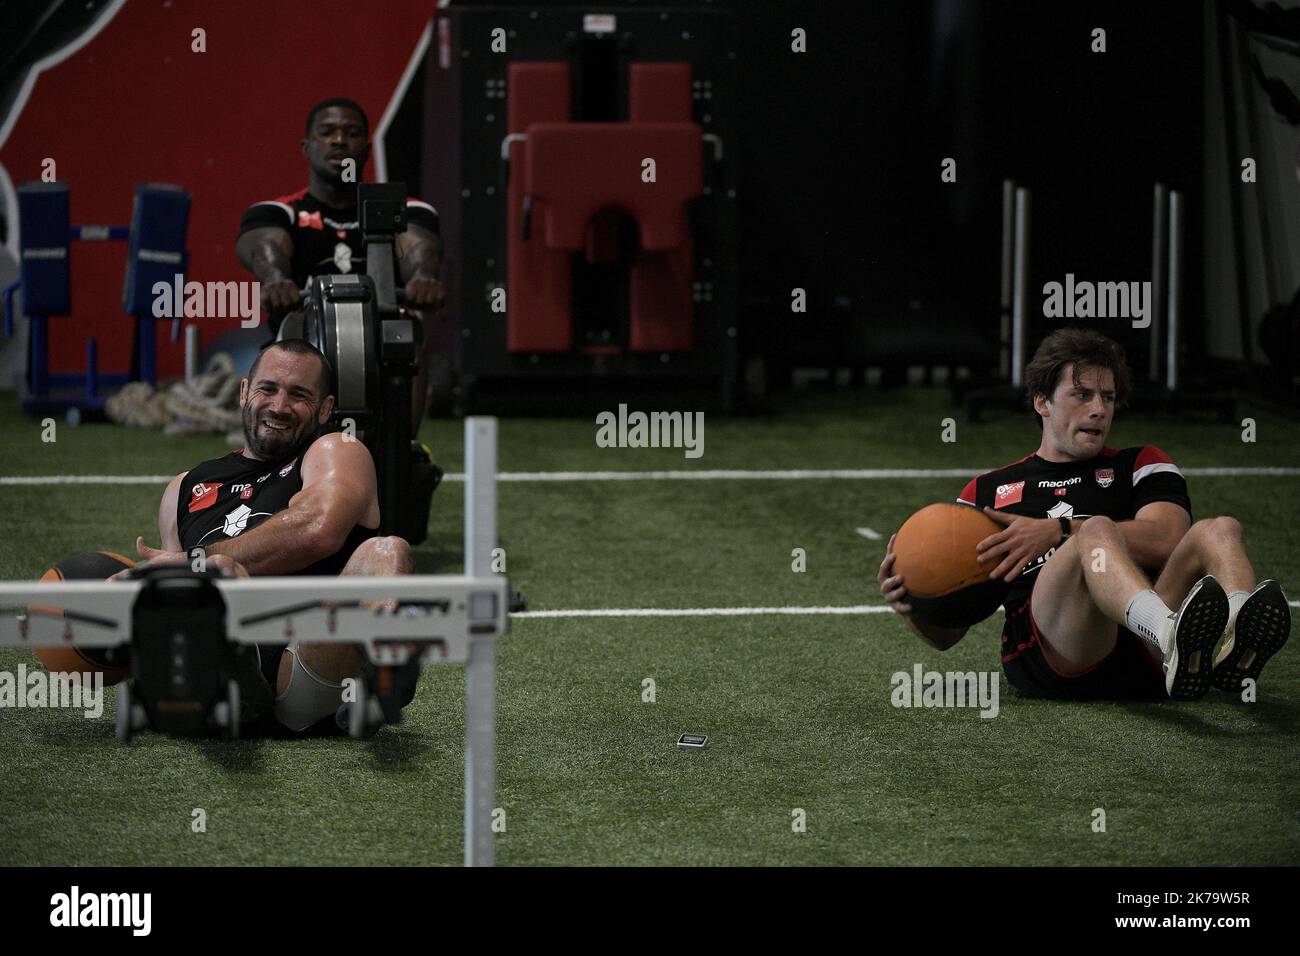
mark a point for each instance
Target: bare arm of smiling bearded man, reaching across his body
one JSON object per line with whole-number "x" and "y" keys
{"x": 339, "y": 494}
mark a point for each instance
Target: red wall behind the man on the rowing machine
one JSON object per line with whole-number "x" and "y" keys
{"x": 137, "y": 106}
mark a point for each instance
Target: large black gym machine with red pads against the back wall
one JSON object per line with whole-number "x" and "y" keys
{"x": 530, "y": 113}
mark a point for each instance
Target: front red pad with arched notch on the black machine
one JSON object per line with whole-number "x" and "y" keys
{"x": 578, "y": 170}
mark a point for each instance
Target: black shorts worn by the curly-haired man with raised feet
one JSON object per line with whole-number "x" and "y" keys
{"x": 1128, "y": 673}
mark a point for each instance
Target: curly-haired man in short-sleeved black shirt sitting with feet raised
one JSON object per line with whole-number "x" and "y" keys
{"x": 1087, "y": 529}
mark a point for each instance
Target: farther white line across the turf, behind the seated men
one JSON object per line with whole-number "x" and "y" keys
{"x": 852, "y": 474}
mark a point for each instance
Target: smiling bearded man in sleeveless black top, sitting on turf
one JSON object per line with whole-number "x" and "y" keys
{"x": 292, "y": 501}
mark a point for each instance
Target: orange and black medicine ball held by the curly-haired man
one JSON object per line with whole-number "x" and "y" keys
{"x": 935, "y": 553}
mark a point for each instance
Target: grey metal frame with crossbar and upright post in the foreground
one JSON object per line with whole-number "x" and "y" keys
{"x": 457, "y": 617}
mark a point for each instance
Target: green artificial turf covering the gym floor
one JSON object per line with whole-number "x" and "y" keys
{"x": 798, "y": 708}
